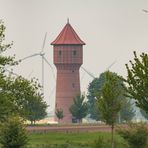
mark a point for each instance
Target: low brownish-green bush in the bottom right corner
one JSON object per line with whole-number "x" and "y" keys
{"x": 136, "y": 135}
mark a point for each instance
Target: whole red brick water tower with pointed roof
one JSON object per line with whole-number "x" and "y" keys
{"x": 68, "y": 57}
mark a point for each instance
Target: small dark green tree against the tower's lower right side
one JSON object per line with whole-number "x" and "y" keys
{"x": 79, "y": 109}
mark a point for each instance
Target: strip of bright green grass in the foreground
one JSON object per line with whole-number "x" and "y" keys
{"x": 70, "y": 140}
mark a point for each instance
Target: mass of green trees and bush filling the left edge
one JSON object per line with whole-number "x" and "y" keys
{"x": 16, "y": 96}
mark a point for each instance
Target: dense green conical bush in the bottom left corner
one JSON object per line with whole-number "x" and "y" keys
{"x": 13, "y": 133}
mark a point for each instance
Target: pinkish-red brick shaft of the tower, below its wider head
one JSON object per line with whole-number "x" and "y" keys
{"x": 67, "y": 87}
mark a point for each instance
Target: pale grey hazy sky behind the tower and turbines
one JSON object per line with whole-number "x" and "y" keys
{"x": 111, "y": 29}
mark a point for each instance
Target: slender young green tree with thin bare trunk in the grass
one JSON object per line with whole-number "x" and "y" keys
{"x": 109, "y": 101}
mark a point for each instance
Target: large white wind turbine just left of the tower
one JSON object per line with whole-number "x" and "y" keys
{"x": 42, "y": 54}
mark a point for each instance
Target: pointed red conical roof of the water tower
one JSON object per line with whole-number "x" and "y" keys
{"x": 68, "y": 36}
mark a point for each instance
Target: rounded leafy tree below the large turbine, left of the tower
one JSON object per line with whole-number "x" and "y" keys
{"x": 27, "y": 98}
